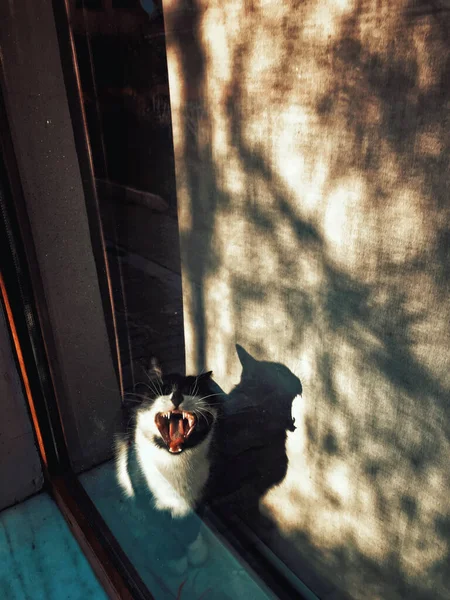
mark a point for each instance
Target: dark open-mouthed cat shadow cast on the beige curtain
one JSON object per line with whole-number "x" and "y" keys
{"x": 251, "y": 438}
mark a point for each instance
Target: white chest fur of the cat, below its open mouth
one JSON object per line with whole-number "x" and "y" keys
{"x": 175, "y": 481}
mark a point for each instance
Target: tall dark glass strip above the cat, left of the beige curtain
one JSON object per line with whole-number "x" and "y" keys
{"x": 122, "y": 62}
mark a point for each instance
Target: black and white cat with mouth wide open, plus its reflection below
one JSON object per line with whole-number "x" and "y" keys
{"x": 165, "y": 449}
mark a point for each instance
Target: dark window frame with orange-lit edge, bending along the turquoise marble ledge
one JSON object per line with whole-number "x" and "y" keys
{"x": 25, "y": 318}
